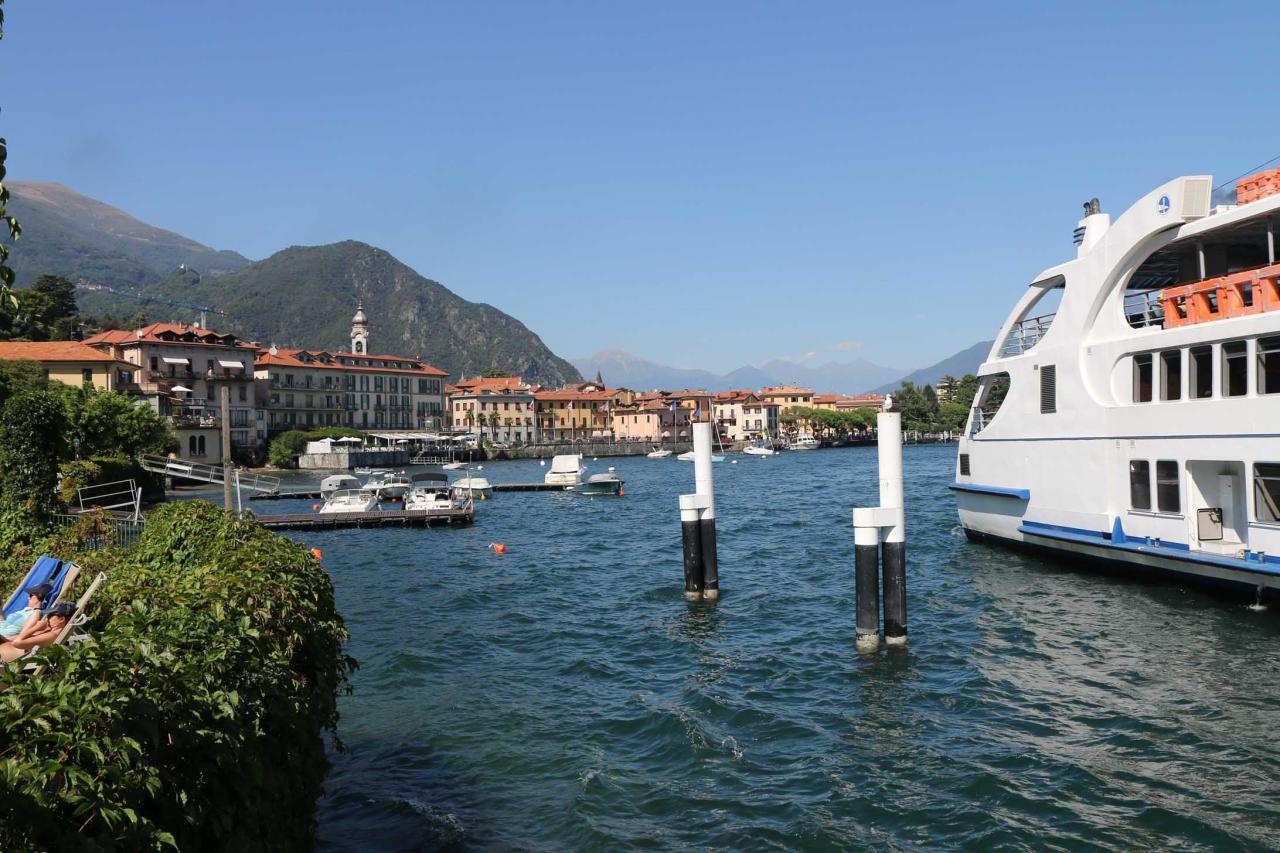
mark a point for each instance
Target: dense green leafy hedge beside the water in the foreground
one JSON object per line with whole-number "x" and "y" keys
{"x": 198, "y": 718}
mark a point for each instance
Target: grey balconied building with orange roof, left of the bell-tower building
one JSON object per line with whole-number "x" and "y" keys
{"x": 179, "y": 370}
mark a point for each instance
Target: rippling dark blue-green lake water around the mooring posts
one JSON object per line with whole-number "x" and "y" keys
{"x": 565, "y": 696}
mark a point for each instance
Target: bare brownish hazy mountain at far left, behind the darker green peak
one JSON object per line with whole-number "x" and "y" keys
{"x": 85, "y": 240}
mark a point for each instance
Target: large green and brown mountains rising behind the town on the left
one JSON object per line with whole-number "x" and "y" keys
{"x": 303, "y": 297}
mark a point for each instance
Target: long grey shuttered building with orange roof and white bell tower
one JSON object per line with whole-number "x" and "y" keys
{"x": 319, "y": 389}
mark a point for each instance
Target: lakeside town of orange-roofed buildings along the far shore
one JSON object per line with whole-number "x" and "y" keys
{"x": 401, "y": 402}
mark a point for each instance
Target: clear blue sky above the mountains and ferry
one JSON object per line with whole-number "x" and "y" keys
{"x": 701, "y": 184}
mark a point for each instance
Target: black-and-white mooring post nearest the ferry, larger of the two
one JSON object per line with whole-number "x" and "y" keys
{"x": 883, "y": 528}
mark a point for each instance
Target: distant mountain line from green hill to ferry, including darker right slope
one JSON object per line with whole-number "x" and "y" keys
{"x": 619, "y": 368}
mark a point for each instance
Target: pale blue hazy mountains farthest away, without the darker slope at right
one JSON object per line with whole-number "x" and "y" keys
{"x": 625, "y": 370}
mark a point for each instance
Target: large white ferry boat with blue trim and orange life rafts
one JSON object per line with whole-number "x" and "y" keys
{"x": 1139, "y": 425}
